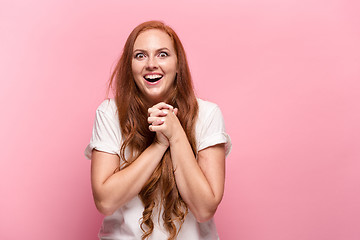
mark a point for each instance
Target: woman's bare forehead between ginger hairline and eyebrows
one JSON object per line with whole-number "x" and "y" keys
{"x": 153, "y": 39}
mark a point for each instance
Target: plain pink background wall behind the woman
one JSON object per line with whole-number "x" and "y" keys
{"x": 285, "y": 74}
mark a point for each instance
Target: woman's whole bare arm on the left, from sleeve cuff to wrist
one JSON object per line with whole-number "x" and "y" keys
{"x": 112, "y": 190}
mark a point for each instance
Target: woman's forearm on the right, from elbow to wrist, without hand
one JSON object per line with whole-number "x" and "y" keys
{"x": 191, "y": 181}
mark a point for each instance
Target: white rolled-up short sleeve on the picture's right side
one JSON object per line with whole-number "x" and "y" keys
{"x": 212, "y": 131}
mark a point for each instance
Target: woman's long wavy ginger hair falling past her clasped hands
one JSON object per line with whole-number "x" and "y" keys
{"x": 132, "y": 112}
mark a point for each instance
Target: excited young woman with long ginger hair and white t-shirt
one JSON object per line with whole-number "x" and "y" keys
{"x": 157, "y": 152}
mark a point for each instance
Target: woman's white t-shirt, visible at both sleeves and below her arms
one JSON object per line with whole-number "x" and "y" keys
{"x": 124, "y": 224}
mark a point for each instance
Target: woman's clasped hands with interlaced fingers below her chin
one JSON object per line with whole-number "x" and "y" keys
{"x": 163, "y": 120}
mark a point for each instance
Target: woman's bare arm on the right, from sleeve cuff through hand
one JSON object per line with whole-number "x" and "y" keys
{"x": 200, "y": 181}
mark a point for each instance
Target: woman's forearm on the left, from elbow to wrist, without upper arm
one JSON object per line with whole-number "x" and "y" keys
{"x": 125, "y": 184}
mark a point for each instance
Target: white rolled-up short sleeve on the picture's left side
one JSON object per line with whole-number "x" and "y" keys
{"x": 106, "y": 131}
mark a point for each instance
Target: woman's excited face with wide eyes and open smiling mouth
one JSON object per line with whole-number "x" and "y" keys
{"x": 154, "y": 64}
